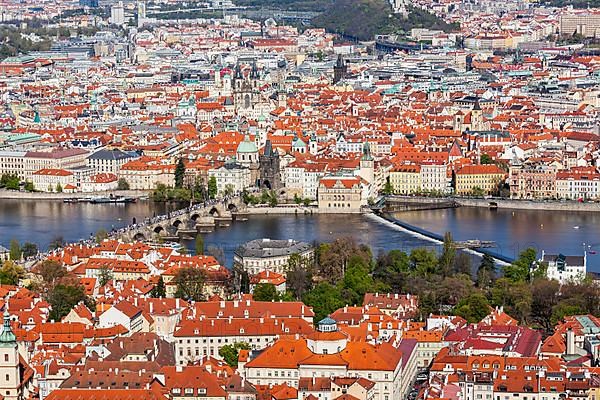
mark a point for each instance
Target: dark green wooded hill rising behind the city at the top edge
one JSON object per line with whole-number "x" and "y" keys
{"x": 363, "y": 19}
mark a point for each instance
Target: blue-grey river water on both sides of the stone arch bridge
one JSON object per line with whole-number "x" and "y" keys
{"x": 41, "y": 221}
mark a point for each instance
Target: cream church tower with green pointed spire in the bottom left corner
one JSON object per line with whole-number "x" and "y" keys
{"x": 10, "y": 377}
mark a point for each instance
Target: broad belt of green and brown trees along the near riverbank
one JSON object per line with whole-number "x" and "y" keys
{"x": 447, "y": 282}
